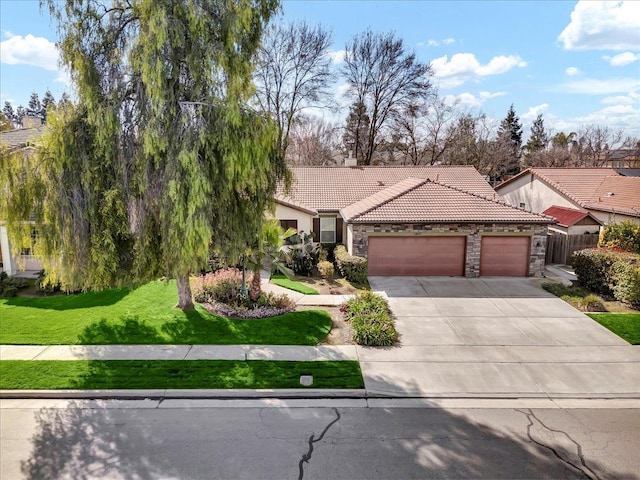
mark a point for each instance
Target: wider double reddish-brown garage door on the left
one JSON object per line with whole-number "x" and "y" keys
{"x": 416, "y": 255}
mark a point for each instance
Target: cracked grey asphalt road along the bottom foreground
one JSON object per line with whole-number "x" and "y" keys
{"x": 198, "y": 439}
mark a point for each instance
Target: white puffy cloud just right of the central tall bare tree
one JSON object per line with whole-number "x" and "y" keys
{"x": 465, "y": 66}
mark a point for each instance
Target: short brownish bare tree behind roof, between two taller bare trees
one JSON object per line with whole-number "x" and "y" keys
{"x": 313, "y": 141}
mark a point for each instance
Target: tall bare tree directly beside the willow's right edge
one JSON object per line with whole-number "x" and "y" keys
{"x": 292, "y": 73}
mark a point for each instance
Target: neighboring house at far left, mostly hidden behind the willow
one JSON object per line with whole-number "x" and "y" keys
{"x": 16, "y": 258}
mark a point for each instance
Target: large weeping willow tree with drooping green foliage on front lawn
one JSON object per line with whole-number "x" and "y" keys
{"x": 158, "y": 161}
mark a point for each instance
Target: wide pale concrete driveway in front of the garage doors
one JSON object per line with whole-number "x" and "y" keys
{"x": 494, "y": 337}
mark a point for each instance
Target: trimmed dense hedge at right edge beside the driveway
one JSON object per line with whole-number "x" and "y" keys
{"x": 609, "y": 273}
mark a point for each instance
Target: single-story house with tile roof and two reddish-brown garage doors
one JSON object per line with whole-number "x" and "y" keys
{"x": 440, "y": 220}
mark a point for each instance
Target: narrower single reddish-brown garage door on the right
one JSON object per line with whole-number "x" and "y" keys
{"x": 505, "y": 256}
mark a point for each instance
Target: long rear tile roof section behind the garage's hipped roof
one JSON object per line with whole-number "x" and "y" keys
{"x": 333, "y": 188}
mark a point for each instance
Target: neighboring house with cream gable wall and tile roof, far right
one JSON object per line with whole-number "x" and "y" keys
{"x": 610, "y": 195}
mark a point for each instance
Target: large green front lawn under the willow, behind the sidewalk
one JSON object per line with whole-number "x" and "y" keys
{"x": 145, "y": 315}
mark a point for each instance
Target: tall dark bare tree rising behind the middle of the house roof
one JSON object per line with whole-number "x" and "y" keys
{"x": 384, "y": 78}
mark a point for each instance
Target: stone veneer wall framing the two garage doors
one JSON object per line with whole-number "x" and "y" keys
{"x": 473, "y": 233}
